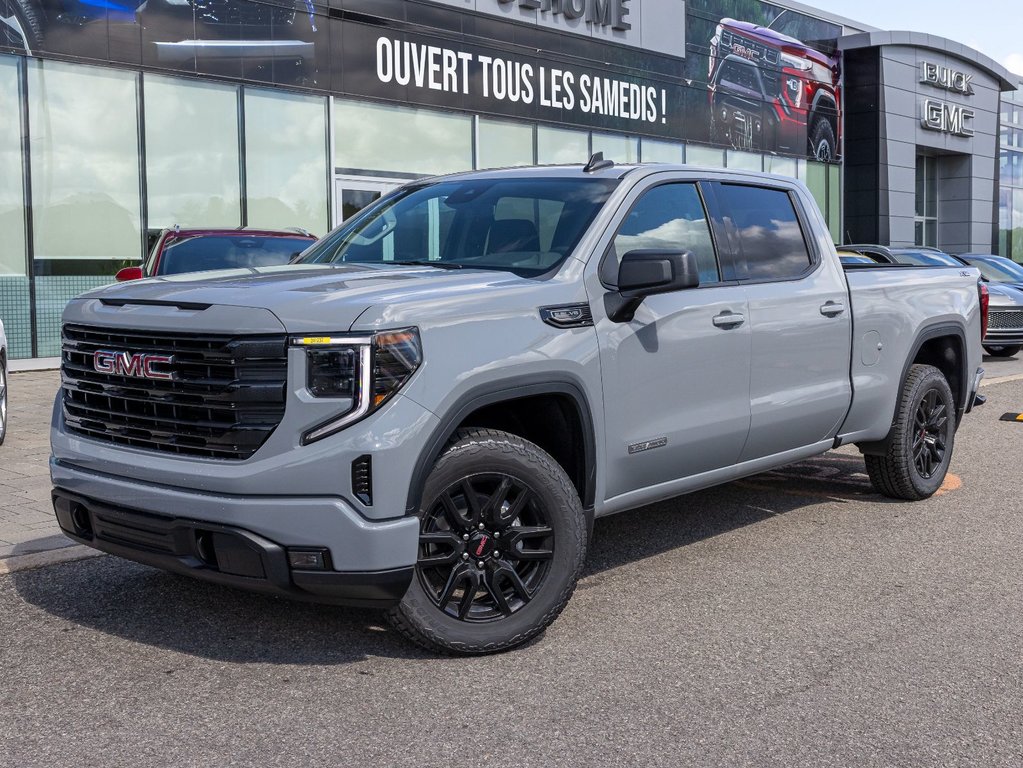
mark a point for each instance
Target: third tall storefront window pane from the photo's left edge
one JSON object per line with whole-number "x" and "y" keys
{"x": 192, "y": 154}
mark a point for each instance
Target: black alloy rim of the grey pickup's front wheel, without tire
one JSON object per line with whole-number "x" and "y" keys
{"x": 485, "y": 548}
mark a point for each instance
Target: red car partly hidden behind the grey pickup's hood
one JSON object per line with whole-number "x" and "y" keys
{"x": 177, "y": 251}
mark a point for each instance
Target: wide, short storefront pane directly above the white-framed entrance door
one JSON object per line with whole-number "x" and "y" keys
{"x": 387, "y": 140}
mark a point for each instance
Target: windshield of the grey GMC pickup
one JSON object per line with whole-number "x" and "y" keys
{"x": 525, "y": 227}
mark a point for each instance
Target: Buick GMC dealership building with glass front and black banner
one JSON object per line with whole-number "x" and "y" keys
{"x": 122, "y": 118}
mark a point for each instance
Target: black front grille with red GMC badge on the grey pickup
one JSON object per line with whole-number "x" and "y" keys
{"x": 221, "y": 398}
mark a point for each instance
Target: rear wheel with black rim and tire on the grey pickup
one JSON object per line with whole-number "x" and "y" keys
{"x": 921, "y": 442}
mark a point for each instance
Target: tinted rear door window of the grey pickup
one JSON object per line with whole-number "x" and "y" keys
{"x": 766, "y": 232}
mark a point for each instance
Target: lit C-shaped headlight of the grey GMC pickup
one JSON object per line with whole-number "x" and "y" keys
{"x": 367, "y": 371}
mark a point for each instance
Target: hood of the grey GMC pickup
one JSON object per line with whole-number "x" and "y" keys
{"x": 310, "y": 298}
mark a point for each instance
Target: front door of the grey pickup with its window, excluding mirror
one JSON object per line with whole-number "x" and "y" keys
{"x": 677, "y": 379}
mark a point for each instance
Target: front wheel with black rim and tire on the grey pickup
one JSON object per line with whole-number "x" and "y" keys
{"x": 503, "y": 539}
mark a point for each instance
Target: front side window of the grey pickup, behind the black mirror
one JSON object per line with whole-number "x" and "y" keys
{"x": 671, "y": 217}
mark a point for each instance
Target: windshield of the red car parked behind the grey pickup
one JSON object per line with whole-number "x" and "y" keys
{"x": 228, "y": 252}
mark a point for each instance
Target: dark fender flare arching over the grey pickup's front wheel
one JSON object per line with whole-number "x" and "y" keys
{"x": 513, "y": 388}
